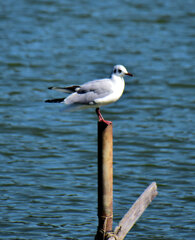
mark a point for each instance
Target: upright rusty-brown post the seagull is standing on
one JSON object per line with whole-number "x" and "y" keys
{"x": 105, "y": 179}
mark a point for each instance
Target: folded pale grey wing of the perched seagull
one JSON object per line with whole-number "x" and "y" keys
{"x": 89, "y": 92}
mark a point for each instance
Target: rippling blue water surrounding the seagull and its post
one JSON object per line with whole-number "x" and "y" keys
{"x": 48, "y": 159}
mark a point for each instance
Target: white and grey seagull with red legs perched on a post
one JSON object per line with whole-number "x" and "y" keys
{"x": 95, "y": 93}
